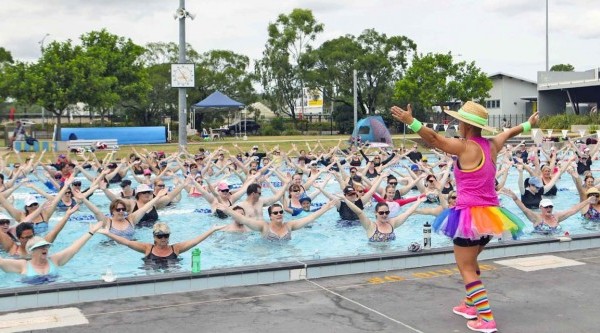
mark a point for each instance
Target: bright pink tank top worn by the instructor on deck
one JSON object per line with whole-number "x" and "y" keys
{"x": 477, "y": 187}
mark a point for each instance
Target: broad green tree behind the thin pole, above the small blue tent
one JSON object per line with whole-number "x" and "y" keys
{"x": 378, "y": 59}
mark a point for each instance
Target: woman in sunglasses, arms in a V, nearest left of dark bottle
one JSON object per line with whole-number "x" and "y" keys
{"x": 382, "y": 229}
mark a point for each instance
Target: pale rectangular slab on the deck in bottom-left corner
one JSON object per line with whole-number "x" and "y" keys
{"x": 43, "y": 319}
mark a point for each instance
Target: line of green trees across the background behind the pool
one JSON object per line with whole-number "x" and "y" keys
{"x": 112, "y": 75}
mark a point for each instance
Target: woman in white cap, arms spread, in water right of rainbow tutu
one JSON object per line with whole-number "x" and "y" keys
{"x": 546, "y": 222}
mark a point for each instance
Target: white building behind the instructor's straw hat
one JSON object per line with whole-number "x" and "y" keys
{"x": 511, "y": 97}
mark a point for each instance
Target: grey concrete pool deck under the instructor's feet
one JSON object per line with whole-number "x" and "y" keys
{"x": 529, "y": 296}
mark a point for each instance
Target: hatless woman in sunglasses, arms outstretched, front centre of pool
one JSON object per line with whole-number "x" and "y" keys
{"x": 276, "y": 229}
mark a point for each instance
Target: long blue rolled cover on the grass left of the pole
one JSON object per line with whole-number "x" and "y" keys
{"x": 124, "y": 135}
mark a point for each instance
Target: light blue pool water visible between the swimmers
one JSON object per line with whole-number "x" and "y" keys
{"x": 190, "y": 217}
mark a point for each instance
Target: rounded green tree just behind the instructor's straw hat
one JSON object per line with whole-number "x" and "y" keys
{"x": 435, "y": 80}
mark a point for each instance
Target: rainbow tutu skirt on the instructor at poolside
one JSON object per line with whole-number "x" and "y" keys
{"x": 476, "y": 222}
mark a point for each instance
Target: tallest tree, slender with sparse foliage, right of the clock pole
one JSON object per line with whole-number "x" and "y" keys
{"x": 282, "y": 70}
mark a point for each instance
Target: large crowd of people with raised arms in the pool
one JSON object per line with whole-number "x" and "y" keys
{"x": 367, "y": 176}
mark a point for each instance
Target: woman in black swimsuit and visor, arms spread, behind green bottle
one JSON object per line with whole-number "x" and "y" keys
{"x": 160, "y": 251}
